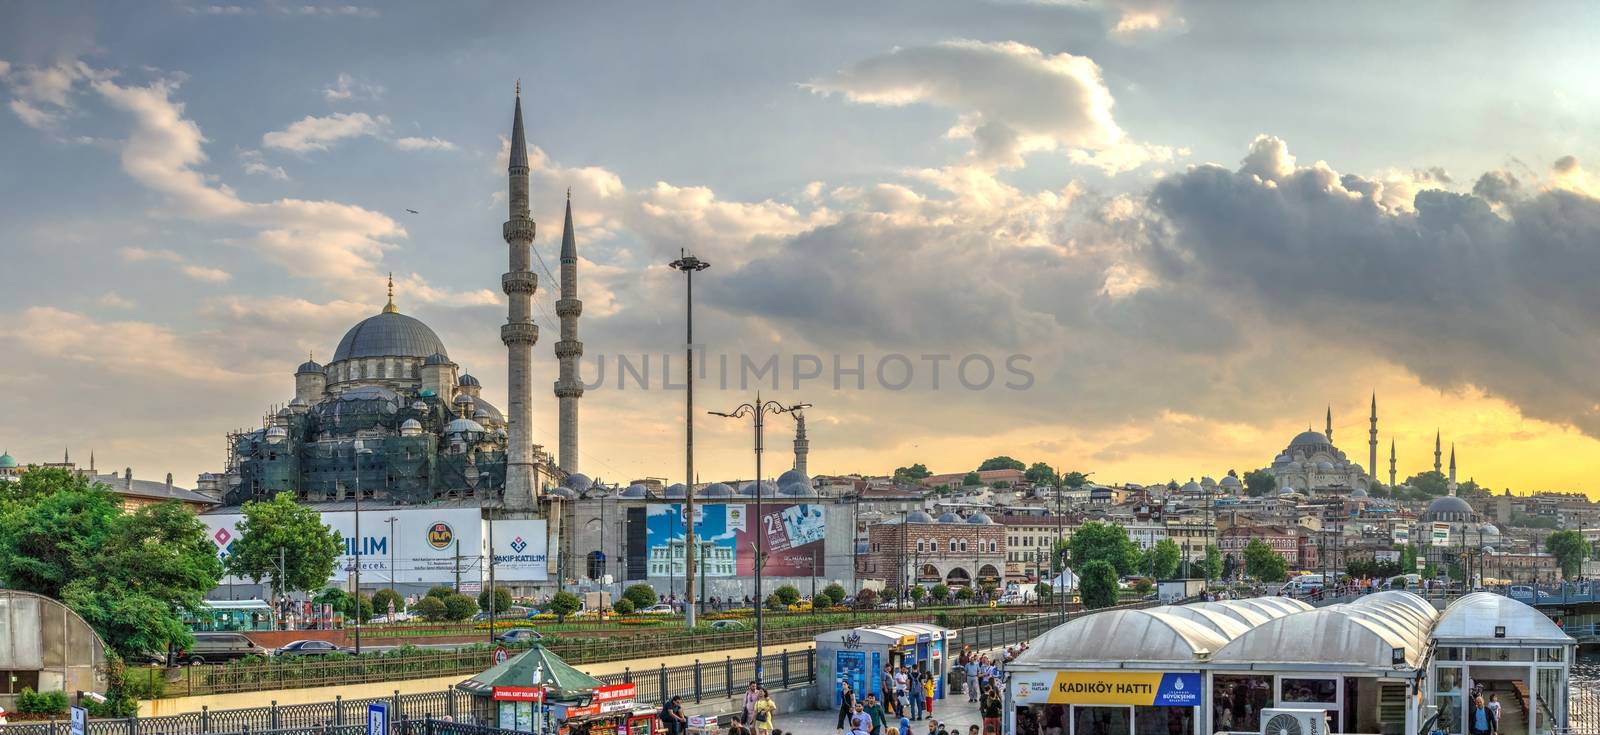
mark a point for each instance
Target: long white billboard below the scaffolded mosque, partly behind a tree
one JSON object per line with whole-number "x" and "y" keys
{"x": 425, "y": 547}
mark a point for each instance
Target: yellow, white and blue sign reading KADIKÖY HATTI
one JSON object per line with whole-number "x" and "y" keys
{"x": 1108, "y": 688}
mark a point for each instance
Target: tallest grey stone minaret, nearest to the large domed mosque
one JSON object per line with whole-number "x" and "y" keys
{"x": 519, "y": 332}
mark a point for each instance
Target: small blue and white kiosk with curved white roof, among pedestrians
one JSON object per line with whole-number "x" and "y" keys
{"x": 858, "y": 656}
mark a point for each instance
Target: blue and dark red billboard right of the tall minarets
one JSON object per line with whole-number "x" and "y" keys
{"x": 727, "y": 536}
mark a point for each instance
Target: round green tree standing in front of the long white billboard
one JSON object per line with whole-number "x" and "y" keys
{"x": 282, "y": 531}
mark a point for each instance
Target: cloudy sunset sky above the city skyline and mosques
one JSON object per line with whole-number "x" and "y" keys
{"x": 1140, "y": 238}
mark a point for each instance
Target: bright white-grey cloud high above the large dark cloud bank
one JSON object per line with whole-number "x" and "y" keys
{"x": 1012, "y": 98}
